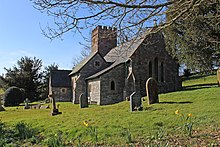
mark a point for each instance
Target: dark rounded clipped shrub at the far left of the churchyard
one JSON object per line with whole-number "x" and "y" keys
{"x": 13, "y": 96}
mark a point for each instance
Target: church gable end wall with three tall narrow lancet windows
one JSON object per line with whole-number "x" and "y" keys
{"x": 152, "y": 60}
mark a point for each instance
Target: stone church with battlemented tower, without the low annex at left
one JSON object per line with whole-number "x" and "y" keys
{"x": 112, "y": 72}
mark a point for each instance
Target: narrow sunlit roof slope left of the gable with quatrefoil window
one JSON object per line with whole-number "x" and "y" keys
{"x": 83, "y": 63}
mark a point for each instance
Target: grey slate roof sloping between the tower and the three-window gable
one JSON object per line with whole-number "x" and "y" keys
{"x": 120, "y": 54}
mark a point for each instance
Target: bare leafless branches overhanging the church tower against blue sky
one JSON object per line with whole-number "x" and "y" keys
{"x": 130, "y": 17}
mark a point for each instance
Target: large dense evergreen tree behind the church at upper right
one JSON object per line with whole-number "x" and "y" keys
{"x": 194, "y": 38}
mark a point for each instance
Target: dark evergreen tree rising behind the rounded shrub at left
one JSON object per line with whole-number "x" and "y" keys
{"x": 26, "y": 75}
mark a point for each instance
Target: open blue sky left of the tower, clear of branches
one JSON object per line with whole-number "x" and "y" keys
{"x": 21, "y": 35}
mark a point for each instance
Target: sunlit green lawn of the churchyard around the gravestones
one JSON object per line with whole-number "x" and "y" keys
{"x": 115, "y": 123}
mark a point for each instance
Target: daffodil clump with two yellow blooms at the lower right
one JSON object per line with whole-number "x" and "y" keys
{"x": 187, "y": 122}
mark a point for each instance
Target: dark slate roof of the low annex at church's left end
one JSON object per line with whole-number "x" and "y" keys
{"x": 60, "y": 78}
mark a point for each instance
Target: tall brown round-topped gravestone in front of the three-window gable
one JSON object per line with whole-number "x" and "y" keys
{"x": 152, "y": 91}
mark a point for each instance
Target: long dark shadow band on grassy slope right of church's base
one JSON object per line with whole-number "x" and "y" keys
{"x": 198, "y": 86}
